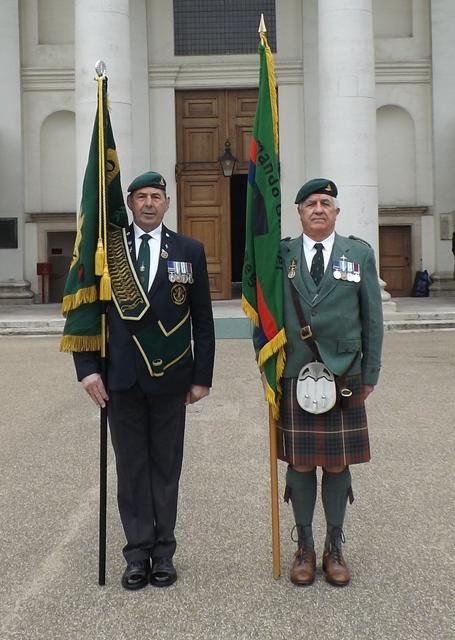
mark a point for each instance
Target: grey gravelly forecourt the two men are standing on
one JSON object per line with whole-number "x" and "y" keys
{"x": 399, "y": 531}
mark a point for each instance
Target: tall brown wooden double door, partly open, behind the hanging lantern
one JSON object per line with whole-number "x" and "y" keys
{"x": 211, "y": 207}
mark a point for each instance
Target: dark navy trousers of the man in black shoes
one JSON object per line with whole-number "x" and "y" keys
{"x": 147, "y": 433}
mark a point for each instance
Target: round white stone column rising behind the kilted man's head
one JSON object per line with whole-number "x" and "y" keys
{"x": 347, "y": 110}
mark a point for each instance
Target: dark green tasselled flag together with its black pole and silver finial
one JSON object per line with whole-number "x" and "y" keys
{"x": 88, "y": 287}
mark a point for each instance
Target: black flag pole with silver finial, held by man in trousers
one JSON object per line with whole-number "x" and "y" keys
{"x": 100, "y": 69}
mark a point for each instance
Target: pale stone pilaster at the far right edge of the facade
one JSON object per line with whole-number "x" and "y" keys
{"x": 443, "y": 70}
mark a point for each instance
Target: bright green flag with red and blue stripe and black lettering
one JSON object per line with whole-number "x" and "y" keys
{"x": 262, "y": 286}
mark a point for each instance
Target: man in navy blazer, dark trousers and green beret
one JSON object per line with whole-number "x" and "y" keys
{"x": 160, "y": 358}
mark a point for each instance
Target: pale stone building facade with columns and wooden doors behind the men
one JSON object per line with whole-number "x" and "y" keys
{"x": 366, "y": 90}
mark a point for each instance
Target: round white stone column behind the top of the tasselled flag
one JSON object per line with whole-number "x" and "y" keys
{"x": 102, "y": 32}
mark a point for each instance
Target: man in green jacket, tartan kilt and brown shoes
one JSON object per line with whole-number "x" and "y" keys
{"x": 333, "y": 314}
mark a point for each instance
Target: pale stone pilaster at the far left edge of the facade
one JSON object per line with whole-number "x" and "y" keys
{"x": 13, "y": 288}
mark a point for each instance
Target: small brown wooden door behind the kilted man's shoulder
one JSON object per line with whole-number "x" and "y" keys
{"x": 395, "y": 259}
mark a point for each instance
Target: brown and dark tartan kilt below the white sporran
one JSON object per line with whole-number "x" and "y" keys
{"x": 332, "y": 439}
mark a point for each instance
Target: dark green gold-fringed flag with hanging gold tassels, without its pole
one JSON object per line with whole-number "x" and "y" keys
{"x": 102, "y": 203}
